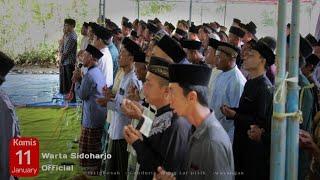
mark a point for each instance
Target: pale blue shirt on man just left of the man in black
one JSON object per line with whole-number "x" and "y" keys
{"x": 228, "y": 88}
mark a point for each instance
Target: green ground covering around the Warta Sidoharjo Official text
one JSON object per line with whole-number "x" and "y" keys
{"x": 55, "y": 128}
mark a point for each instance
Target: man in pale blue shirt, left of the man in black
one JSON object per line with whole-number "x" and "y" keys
{"x": 228, "y": 85}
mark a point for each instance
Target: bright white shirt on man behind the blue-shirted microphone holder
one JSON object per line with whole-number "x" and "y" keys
{"x": 105, "y": 64}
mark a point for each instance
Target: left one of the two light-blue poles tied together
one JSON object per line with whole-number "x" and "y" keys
{"x": 278, "y": 130}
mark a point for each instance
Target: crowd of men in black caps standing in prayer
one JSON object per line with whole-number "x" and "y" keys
{"x": 184, "y": 101}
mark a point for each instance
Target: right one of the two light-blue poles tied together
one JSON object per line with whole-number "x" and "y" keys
{"x": 293, "y": 95}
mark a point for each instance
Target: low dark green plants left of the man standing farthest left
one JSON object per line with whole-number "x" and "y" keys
{"x": 43, "y": 55}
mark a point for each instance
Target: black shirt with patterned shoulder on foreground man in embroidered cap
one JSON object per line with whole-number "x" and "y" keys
{"x": 166, "y": 146}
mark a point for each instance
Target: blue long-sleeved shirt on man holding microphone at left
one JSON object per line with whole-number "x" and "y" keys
{"x": 89, "y": 90}
